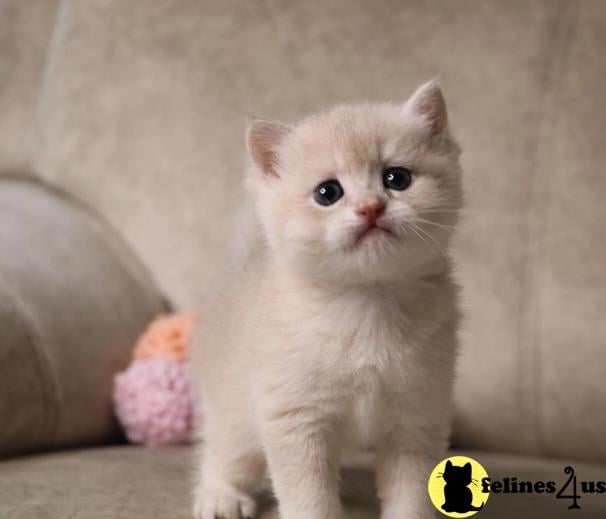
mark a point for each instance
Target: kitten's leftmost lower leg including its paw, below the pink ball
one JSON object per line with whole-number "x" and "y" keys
{"x": 231, "y": 468}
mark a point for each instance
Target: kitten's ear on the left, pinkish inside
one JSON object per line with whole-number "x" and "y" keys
{"x": 262, "y": 140}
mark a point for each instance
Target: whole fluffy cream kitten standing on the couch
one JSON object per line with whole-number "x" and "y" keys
{"x": 338, "y": 330}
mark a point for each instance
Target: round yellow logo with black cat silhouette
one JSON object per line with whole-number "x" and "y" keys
{"x": 454, "y": 487}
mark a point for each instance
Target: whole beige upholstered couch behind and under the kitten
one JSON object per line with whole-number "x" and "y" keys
{"x": 121, "y": 156}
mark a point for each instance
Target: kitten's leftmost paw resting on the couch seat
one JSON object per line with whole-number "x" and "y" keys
{"x": 223, "y": 504}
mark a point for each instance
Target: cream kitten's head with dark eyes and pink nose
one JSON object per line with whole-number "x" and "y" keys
{"x": 359, "y": 193}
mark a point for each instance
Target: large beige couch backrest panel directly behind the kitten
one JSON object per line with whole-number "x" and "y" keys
{"x": 142, "y": 116}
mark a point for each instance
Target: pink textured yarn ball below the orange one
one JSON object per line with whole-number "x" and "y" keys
{"x": 154, "y": 401}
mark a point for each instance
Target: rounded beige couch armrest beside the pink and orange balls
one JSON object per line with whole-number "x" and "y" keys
{"x": 74, "y": 300}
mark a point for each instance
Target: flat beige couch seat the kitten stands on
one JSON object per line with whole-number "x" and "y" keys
{"x": 127, "y": 482}
